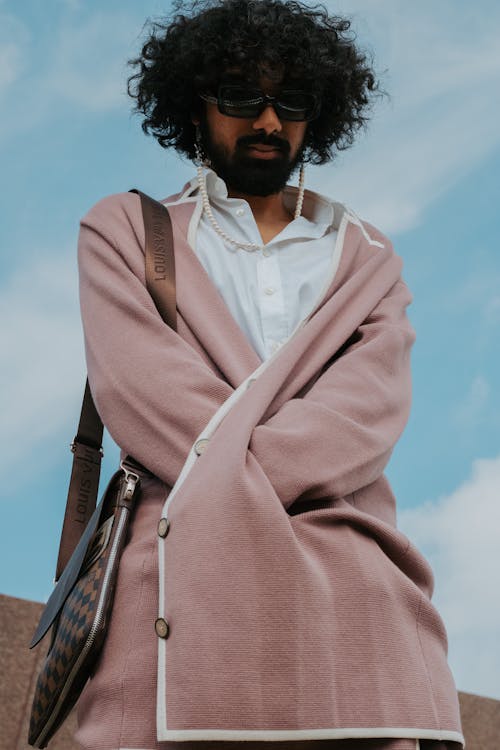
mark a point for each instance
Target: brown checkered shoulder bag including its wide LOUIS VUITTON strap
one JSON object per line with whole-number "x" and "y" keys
{"x": 93, "y": 537}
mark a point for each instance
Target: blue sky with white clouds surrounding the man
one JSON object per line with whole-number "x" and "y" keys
{"x": 426, "y": 172}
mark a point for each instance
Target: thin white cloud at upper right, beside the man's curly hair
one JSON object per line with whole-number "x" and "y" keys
{"x": 444, "y": 67}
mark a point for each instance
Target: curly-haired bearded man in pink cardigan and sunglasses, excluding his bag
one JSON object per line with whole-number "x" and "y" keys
{"x": 265, "y": 594}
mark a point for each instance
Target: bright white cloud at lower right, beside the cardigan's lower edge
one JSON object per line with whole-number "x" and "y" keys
{"x": 459, "y": 535}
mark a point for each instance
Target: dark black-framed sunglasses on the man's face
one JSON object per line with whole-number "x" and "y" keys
{"x": 239, "y": 101}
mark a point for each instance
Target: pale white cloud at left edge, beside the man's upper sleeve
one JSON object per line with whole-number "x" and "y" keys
{"x": 44, "y": 369}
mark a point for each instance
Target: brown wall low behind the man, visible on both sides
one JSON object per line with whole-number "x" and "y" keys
{"x": 19, "y": 667}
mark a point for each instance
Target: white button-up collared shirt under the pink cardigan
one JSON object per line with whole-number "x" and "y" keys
{"x": 267, "y": 291}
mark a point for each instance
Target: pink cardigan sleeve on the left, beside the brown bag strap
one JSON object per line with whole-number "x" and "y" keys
{"x": 152, "y": 410}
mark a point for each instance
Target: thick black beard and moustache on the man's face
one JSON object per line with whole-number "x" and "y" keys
{"x": 244, "y": 173}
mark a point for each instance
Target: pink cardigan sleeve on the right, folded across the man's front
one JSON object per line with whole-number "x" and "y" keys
{"x": 340, "y": 435}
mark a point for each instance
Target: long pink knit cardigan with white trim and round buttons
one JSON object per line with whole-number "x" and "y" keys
{"x": 291, "y": 607}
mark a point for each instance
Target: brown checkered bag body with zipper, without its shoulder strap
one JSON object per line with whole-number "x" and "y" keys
{"x": 79, "y": 628}
